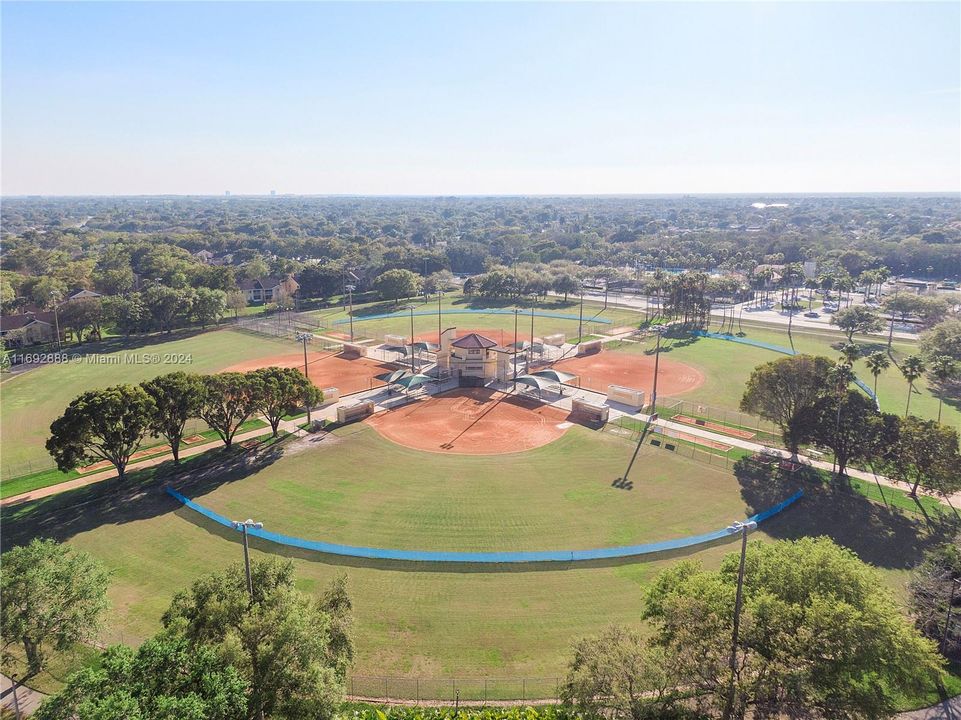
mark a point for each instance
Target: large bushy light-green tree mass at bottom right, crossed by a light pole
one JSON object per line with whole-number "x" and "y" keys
{"x": 820, "y": 634}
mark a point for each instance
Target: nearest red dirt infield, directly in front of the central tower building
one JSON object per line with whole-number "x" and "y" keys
{"x": 472, "y": 421}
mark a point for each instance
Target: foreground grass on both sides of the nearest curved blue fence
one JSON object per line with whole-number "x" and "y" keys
{"x": 426, "y": 621}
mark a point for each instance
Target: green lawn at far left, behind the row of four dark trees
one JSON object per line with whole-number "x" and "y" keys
{"x": 33, "y": 400}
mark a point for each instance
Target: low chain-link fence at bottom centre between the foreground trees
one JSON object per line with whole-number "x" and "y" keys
{"x": 452, "y": 689}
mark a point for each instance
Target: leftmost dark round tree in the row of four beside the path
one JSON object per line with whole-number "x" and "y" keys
{"x": 108, "y": 424}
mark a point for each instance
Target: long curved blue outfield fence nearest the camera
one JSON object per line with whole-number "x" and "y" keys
{"x": 483, "y": 557}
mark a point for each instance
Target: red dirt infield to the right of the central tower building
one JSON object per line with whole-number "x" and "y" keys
{"x": 636, "y": 371}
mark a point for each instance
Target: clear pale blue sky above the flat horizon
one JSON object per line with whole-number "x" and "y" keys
{"x": 192, "y": 98}
